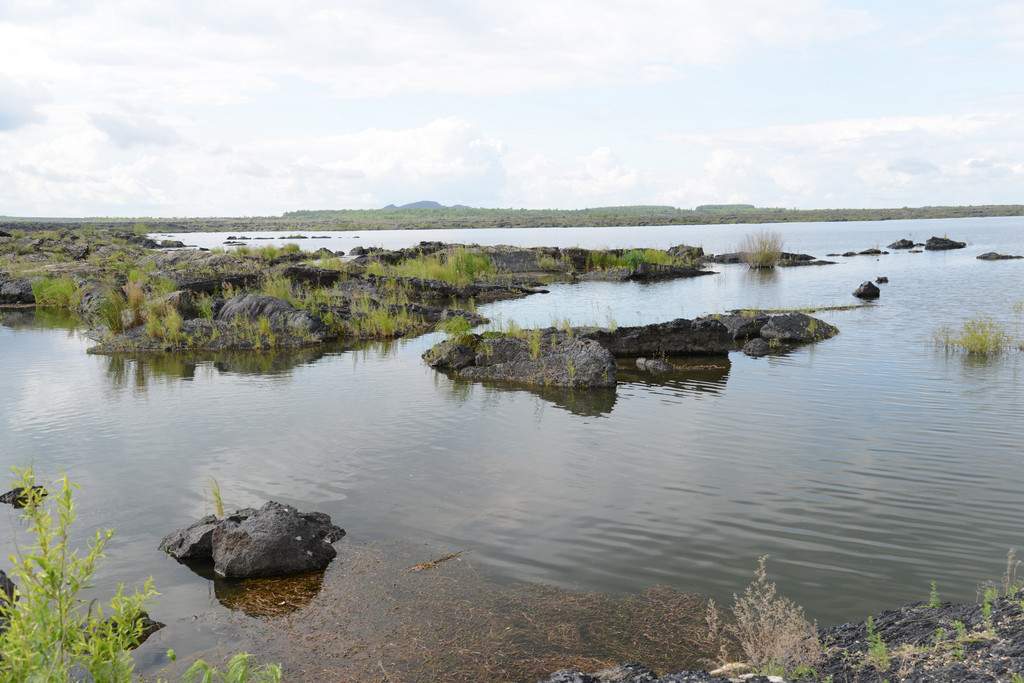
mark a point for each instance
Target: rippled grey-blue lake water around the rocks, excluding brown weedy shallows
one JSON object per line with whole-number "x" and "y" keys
{"x": 868, "y": 465}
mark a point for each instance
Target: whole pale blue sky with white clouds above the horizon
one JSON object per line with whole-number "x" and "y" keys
{"x": 200, "y": 108}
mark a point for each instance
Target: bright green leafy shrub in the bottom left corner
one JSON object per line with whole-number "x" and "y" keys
{"x": 52, "y": 637}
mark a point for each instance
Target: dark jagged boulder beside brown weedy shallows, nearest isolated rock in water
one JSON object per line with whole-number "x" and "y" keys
{"x": 273, "y": 541}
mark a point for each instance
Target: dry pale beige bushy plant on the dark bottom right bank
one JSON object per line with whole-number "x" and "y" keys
{"x": 774, "y": 631}
